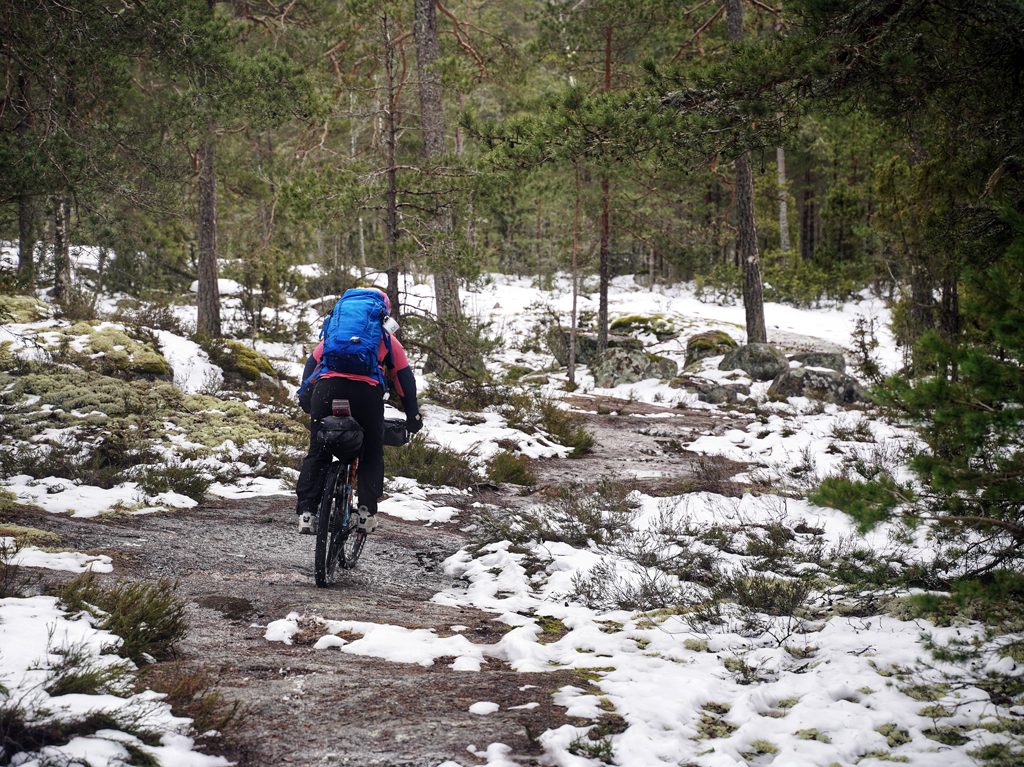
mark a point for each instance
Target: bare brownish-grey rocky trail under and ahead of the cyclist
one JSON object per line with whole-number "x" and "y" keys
{"x": 240, "y": 565}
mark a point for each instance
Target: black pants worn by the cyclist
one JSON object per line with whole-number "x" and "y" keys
{"x": 368, "y": 408}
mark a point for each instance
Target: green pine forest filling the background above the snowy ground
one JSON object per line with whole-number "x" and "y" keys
{"x": 809, "y": 150}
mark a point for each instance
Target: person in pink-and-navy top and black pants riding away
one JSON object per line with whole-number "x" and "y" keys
{"x": 367, "y": 401}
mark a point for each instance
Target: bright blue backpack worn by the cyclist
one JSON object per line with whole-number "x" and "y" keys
{"x": 353, "y": 335}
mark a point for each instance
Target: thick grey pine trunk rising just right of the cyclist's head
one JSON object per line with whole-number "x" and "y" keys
{"x": 433, "y": 131}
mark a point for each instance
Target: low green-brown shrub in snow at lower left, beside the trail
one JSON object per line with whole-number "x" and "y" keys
{"x": 150, "y": 618}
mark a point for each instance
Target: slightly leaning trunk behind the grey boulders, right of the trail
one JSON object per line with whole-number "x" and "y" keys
{"x": 747, "y": 240}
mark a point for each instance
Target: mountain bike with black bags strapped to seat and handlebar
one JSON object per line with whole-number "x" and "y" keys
{"x": 339, "y": 540}
